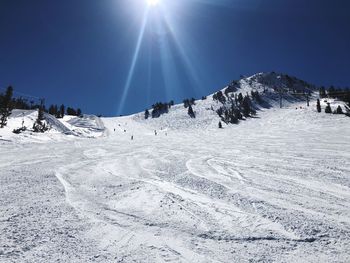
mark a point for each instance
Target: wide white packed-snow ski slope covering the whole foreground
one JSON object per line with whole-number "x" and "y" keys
{"x": 273, "y": 188}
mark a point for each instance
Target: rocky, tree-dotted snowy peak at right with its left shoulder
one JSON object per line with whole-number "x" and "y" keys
{"x": 270, "y": 86}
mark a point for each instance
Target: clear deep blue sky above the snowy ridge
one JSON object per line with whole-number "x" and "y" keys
{"x": 119, "y": 56}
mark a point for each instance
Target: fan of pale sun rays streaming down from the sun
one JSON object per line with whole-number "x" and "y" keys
{"x": 172, "y": 44}
